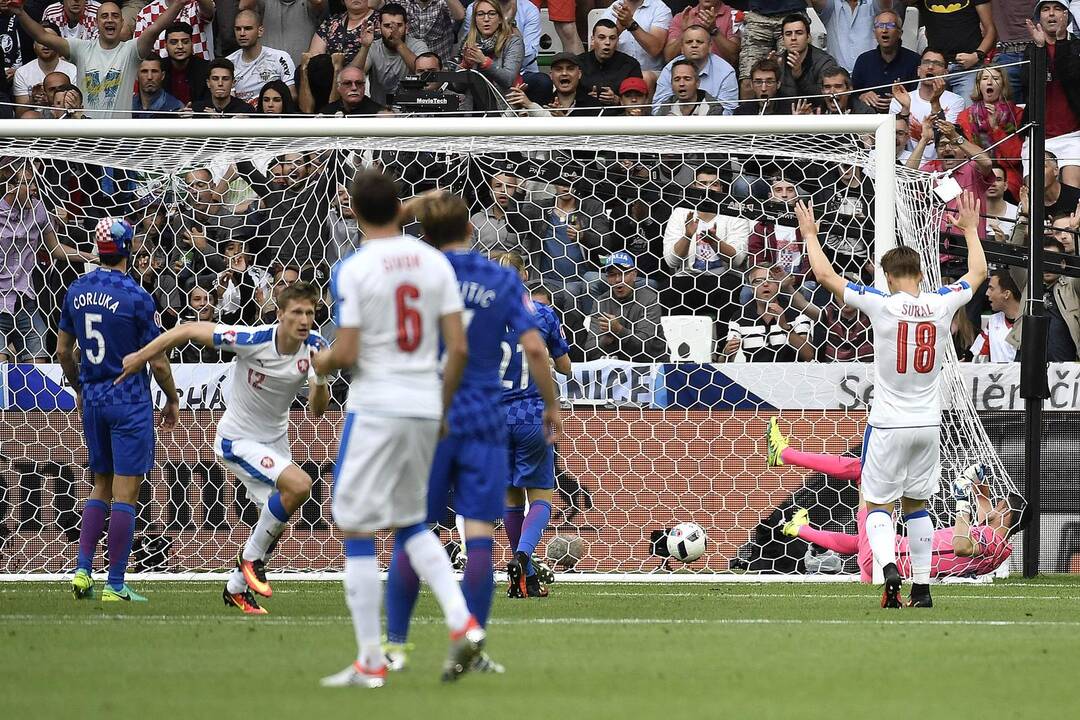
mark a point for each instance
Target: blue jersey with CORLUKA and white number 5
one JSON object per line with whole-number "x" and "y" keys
{"x": 111, "y": 316}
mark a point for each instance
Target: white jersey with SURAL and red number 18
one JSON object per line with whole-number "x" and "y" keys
{"x": 911, "y": 337}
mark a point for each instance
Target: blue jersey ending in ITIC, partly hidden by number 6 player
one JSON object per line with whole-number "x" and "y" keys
{"x": 497, "y": 307}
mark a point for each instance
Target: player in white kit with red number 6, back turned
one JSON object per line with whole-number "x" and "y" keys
{"x": 394, "y": 300}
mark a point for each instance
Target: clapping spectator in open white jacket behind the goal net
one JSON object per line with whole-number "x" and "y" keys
{"x": 705, "y": 250}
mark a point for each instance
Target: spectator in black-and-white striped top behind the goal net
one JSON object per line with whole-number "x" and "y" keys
{"x": 767, "y": 330}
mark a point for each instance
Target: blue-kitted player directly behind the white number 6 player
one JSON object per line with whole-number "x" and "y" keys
{"x": 472, "y": 465}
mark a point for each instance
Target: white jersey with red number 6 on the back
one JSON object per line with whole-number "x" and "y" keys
{"x": 395, "y": 291}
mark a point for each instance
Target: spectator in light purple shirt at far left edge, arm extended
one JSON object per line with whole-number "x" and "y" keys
{"x": 25, "y": 230}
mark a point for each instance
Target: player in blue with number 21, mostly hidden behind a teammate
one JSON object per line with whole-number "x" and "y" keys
{"x": 532, "y": 456}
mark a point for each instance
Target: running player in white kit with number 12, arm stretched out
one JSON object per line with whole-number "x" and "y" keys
{"x": 274, "y": 363}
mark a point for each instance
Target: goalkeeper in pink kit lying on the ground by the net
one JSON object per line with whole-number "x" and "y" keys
{"x": 977, "y": 546}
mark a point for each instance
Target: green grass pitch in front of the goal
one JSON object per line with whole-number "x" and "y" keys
{"x": 792, "y": 651}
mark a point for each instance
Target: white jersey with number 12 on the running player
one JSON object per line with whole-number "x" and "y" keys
{"x": 265, "y": 383}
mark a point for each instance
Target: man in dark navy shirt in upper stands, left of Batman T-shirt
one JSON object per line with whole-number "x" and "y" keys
{"x": 887, "y": 65}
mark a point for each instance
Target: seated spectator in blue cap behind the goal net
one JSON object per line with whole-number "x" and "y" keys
{"x": 626, "y": 321}
